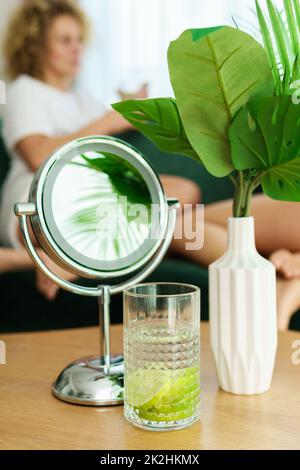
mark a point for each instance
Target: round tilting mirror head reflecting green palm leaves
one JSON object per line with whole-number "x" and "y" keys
{"x": 100, "y": 208}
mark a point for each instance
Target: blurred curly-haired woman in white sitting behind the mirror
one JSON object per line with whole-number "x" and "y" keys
{"x": 46, "y": 109}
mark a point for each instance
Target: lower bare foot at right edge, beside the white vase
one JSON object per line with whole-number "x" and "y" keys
{"x": 288, "y": 301}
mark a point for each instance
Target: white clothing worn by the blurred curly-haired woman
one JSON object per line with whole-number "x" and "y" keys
{"x": 35, "y": 108}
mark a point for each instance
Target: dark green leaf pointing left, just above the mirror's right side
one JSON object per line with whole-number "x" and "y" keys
{"x": 159, "y": 120}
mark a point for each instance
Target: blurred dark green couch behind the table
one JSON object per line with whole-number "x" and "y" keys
{"x": 22, "y": 308}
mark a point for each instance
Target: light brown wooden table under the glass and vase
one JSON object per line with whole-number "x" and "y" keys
{"x": 31, "y": 418}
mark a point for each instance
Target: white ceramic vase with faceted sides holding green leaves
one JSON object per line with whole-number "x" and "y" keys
{"x": 243, "y": 322}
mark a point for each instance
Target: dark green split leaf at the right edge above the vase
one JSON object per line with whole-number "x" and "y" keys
{"x": 265, "y": 135}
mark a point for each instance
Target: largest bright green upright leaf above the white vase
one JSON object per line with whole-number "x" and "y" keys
{"x": 213, "y": 77}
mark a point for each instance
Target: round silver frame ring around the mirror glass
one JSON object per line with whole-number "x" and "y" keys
{"x": 43, "y": 184}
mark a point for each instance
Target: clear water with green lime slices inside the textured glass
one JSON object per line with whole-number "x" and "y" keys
{"x": 162, "y": 374}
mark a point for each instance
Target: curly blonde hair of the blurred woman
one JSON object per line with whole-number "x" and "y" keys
{"x": 26, "y": 37}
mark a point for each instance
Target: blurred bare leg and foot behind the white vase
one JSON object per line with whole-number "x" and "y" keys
{"x": 277, "y": 226}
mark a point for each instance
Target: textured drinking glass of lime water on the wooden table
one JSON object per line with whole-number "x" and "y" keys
{"x": 162, "y": 356}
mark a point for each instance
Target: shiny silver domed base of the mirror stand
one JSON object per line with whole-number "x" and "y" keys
{"x": 84, "y": 383}
